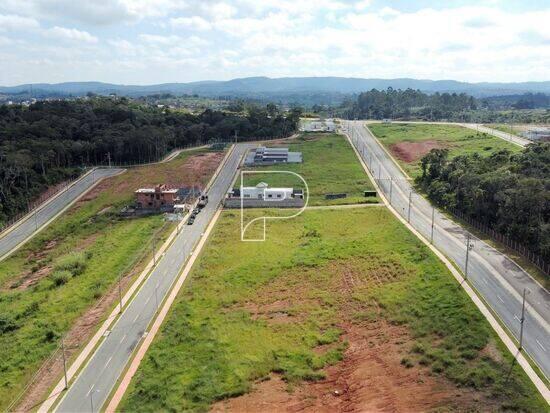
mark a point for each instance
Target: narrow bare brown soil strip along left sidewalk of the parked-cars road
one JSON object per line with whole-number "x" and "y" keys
{"x": 79, "y": 335}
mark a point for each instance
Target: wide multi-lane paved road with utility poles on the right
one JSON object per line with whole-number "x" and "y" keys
{"x": 498, "y": 279}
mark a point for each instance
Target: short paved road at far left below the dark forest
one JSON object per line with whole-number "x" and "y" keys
{"x": 13, "y": 239}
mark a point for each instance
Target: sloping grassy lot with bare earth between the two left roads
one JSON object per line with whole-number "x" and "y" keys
{"x": 62, "y": 282}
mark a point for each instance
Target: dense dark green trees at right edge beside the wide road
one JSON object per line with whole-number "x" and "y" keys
{"x": 509, "y": 193}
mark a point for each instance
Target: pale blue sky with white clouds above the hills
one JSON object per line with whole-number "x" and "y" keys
{"x": 159, "y": 41}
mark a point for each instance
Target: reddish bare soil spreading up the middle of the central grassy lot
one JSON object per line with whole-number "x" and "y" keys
{"x": 373, "y": 376}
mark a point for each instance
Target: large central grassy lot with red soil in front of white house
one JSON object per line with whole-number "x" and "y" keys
{"x": 339, "y": 310}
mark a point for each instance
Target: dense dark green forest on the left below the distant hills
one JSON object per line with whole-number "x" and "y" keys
{"x": 48, "y": 142}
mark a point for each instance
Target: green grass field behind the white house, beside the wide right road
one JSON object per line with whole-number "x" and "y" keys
{"x": 329, "y": 166}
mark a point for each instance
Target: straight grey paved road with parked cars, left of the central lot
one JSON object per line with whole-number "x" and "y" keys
{"x": 98, "y": 377}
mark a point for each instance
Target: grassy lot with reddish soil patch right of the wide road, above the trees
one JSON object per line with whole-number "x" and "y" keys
{"x": 408, "y": 143}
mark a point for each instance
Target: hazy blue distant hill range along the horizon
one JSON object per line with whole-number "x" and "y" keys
{"x": 264, "y": 87}
